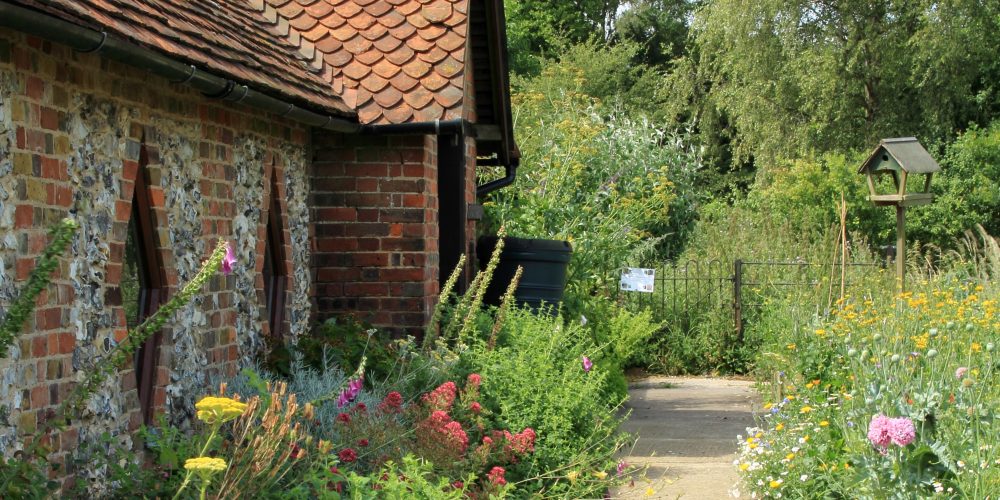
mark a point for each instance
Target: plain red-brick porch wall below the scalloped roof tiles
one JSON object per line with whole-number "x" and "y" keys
{"x": 375, "y": 216}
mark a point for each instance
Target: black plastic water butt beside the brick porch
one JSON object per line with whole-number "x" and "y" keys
{"x": 544, "y": 263}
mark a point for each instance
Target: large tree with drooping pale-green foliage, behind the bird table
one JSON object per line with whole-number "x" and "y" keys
{"x": 791, "y": 77}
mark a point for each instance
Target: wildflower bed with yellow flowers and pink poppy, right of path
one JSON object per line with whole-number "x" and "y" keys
{"x": 896, "y": 401}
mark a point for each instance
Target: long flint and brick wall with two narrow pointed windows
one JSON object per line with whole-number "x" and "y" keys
{"x": 75, "y": 131}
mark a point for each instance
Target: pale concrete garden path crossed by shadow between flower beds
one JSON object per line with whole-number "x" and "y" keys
{"x": 687, "y": 431}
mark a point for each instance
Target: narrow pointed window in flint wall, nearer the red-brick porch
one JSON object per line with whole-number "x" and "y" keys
{"x": 275, "y": 275}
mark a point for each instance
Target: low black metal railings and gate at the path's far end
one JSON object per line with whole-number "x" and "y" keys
{"x": 685, "y": 293}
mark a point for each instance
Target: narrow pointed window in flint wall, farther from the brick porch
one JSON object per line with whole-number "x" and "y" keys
{"x": 142, "y": 288}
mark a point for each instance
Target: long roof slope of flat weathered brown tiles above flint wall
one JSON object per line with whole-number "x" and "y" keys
{"x": 230, "y": 37}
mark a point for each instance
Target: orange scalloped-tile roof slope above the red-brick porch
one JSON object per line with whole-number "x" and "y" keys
{"x": 394, "y": 61}
